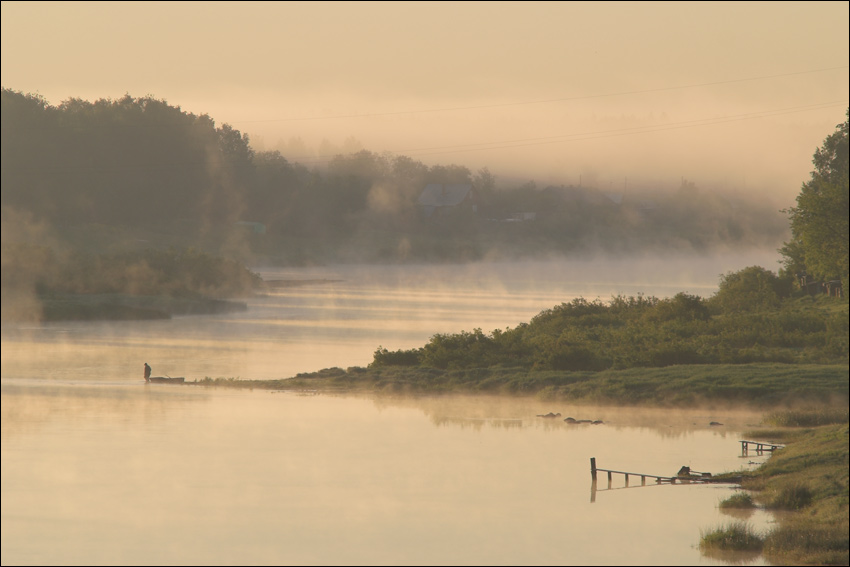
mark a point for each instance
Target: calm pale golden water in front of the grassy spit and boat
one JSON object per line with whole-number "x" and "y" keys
{"x": 256, "y": 477}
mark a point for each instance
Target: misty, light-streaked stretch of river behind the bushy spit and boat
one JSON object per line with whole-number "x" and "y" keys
{"x": 341, "y": 318}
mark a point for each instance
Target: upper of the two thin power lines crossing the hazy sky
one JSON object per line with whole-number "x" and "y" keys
{"x": 542, "y": 101}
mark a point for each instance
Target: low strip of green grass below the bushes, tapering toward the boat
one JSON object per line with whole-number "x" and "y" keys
{"x": 764, "y": 386}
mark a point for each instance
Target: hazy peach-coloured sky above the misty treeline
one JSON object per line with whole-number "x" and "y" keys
{"x": 734, "y": 95}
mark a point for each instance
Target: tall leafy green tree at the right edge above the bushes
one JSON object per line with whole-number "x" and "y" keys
{"x": 819, "y": 222}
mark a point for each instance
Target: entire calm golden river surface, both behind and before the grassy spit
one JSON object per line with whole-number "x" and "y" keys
{"x": 99, "y": 468}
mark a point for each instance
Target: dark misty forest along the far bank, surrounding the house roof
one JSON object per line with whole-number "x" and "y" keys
{"x": 137, "y": 172}
